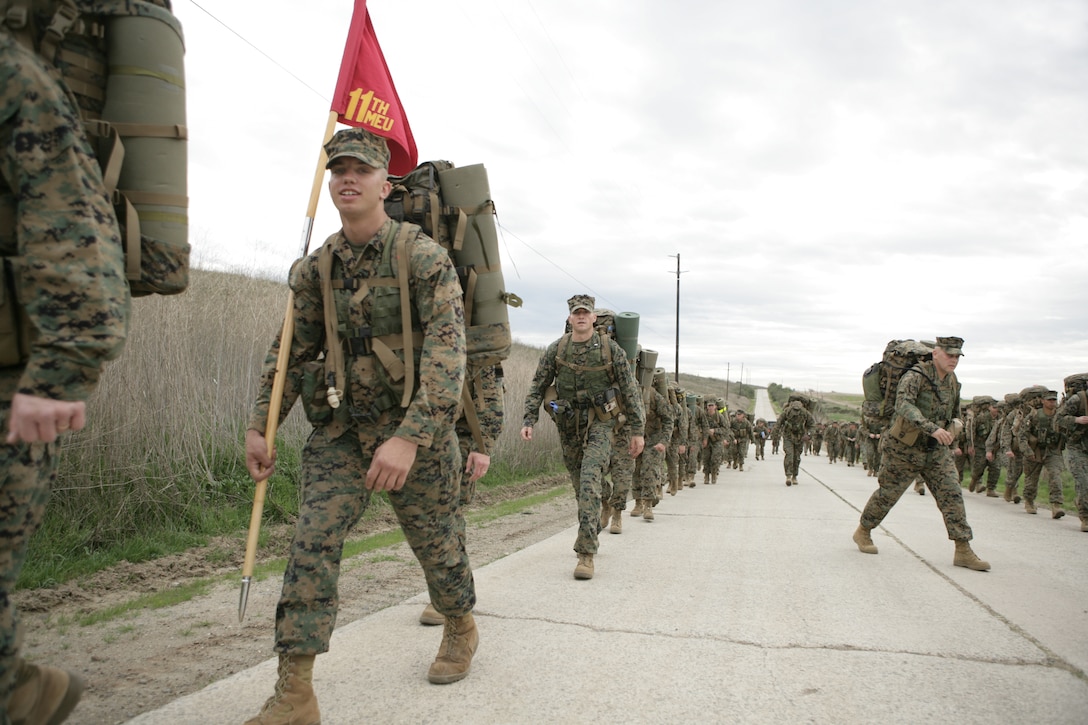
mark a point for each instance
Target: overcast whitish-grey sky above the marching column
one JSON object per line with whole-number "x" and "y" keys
{"x": 833, "y": 174}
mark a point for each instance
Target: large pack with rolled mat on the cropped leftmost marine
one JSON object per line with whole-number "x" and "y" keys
{"x": 122, "y": 62}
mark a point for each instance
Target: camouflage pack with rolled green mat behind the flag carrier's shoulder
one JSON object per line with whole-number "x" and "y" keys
{"x": 454, "y": 207}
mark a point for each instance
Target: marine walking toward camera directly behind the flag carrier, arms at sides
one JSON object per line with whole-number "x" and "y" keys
{"x": 586, "y": 376}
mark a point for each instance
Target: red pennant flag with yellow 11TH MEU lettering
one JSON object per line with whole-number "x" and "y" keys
{"x": 365, "y": 94}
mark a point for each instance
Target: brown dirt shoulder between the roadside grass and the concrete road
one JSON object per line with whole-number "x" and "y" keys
{"x": 143, "y": 659}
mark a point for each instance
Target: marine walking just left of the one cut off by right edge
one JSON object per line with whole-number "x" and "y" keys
{"x": 1041, "y": 441}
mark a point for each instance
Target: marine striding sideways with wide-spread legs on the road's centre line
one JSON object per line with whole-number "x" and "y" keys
{"x": 918, "y": 445}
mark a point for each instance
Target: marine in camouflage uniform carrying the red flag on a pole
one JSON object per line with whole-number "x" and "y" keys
{"x": 370, "y": 444}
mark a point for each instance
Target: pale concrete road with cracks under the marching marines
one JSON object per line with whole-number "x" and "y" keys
{"x": 744, "y": 603}
